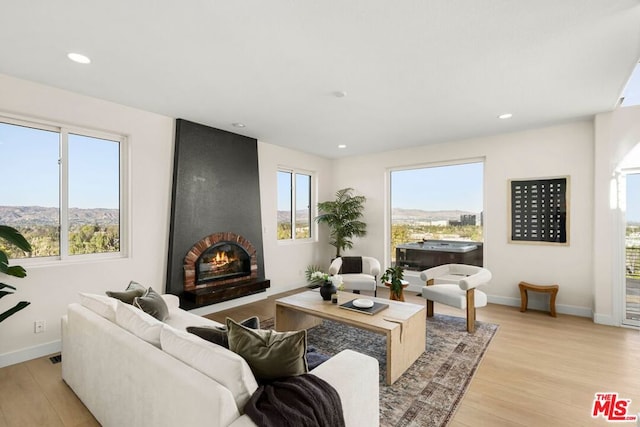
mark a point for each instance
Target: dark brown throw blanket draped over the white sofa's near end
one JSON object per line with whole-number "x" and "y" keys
{"x": 301, "y": 401}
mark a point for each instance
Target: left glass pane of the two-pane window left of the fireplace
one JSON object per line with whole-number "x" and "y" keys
{"x": 31, "y": 203}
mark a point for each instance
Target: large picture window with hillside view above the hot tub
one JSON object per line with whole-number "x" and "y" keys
{"x": 441, "y": 202}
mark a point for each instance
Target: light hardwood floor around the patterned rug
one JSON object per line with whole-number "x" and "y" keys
{"x": 538, "y": 371}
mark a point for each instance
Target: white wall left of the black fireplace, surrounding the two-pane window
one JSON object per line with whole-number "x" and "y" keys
{"x": 50, "y": 288}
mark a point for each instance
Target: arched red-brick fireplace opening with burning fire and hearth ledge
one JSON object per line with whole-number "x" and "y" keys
{"x": 220, "y": 267}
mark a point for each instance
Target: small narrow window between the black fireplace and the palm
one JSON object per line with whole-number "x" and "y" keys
{"x": 294, "y": 205}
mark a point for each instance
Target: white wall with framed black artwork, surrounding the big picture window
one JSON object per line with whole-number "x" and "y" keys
{"x": 553, "y": 151}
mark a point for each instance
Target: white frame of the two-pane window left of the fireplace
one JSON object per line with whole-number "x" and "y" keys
{"x": 64, "y": 130}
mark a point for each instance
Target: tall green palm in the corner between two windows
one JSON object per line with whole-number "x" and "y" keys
{"x": 342, "y": 216}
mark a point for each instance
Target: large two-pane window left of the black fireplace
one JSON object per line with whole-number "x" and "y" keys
{"x": 61, "y": 179}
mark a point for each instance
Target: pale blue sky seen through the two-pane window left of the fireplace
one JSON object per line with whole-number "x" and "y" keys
{"x": 29, "y": 159}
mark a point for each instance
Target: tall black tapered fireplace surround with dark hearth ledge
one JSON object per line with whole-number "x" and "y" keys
{"x": 216, "y": 189}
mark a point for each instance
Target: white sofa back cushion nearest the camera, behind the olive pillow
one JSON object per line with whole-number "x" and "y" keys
{"x": 218, "y": 363}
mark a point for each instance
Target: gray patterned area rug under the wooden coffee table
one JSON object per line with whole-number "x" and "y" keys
{"x": 431, "y": 390}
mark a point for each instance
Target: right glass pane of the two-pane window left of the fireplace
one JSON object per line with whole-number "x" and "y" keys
{"x": 94, "y": 195}
